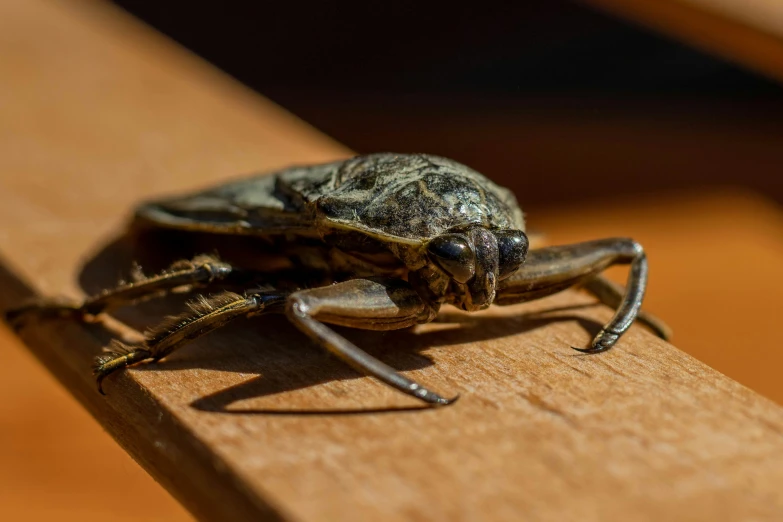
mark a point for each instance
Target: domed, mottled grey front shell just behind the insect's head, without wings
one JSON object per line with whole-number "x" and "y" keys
{"x": 416, "y": 197}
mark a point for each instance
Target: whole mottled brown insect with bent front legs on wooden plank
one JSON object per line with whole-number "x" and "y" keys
{"x": 377, "y": 242}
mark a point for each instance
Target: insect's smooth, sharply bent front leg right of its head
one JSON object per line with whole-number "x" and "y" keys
{"x": 550, "y": 270}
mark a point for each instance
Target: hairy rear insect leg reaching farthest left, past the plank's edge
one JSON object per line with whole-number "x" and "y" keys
{"x": 198, "y": 272}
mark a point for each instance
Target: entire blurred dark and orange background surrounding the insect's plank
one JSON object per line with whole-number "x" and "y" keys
{"x": 662, "y": 124}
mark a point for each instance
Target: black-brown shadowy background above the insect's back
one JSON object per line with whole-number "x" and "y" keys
{"x": 556, "y": 100}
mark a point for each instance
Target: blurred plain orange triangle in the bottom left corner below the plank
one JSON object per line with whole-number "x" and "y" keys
{"x": 56, "y": 463}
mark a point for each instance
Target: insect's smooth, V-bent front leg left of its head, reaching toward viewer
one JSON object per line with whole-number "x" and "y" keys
{"x": 372, "y": 304}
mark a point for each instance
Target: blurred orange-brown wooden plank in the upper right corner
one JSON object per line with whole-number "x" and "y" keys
{"x": 749, "y": 32}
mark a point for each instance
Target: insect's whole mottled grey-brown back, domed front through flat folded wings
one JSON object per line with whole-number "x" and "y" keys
{"x": 403, "y": 198}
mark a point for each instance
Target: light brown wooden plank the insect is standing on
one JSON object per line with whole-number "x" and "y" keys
{"x": 99, "y": 113}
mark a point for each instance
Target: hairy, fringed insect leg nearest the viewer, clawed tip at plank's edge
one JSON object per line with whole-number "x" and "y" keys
{"x": 206, "y": 314}
